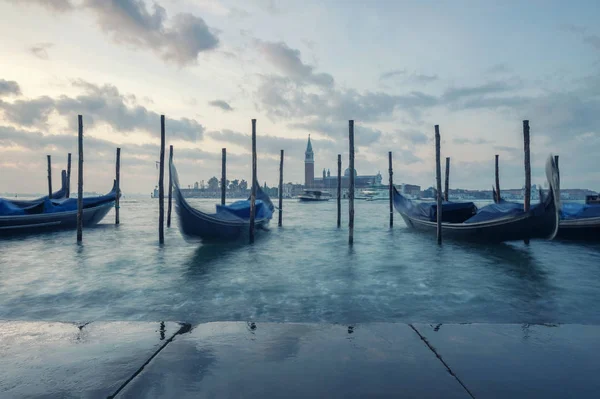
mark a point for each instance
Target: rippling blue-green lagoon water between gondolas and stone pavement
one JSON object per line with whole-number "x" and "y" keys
{"x": 303, "y": 272}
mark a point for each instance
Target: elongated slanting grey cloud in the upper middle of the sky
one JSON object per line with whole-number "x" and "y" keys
{"x": 288, "y": 61}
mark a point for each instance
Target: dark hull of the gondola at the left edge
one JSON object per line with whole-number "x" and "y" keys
{"x": 29, "y": 224}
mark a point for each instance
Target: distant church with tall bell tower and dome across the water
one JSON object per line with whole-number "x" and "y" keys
{"x": 330, "y": 182}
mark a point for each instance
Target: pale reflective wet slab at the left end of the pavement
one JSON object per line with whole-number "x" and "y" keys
{"x": 64, "y": 360}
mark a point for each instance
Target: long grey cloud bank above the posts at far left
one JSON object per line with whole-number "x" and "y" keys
{"x": 98, "y": 104}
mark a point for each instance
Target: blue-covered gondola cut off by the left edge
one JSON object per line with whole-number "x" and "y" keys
{"x": 43, "y": 215}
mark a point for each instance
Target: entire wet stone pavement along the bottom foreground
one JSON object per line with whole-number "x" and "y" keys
{"x": 248, "y": 360}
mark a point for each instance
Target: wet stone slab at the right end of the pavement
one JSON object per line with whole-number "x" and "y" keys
{"x": 520, "y": 361}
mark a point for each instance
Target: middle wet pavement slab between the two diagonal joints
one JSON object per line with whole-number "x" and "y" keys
{"x": 270, "y": 360}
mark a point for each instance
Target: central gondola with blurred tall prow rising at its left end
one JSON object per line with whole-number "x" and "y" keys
{"x": 229, "y": 222}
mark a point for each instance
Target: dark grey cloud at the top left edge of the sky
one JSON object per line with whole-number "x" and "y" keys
{"x": 179, "y": 40}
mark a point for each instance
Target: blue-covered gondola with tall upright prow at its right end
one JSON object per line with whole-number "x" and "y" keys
{"x": 491, "y": 223}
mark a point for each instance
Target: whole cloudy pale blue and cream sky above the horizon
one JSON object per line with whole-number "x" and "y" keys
{"x": 476, "y": 68}
